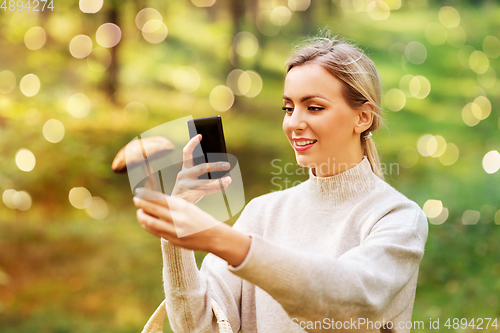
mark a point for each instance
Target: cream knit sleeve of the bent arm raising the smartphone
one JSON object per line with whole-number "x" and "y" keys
{"x": 189, "y": 291}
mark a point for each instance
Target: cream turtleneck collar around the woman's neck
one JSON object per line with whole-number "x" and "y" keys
{"x": 344, "y": 187}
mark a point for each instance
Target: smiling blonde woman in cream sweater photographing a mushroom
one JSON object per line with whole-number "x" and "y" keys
{"x": 339, "y": 251}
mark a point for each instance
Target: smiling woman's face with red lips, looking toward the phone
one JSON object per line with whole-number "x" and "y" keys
{"x": 319, "y": 124}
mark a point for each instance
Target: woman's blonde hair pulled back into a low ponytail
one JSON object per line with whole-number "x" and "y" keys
{"x": 361, "y": 80}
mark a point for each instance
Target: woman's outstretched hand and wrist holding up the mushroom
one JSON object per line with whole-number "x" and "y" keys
{"x": 186, "y": 225}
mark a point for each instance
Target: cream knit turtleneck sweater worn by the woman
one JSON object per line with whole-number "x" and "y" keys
{"x": 333, "y": 253}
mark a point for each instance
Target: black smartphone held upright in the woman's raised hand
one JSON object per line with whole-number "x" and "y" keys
{"x": 212, "y": 147}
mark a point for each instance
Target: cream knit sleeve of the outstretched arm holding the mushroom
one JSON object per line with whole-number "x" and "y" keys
{"x": 361, "y": 283}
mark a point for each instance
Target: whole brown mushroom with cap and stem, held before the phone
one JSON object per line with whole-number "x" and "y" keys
{"x": 138, "y": 153}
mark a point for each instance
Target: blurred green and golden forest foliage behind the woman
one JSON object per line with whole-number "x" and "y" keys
{"x": 62, "y": 271}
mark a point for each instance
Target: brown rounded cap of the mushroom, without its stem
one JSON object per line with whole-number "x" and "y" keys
{"x": 139, "y": 149}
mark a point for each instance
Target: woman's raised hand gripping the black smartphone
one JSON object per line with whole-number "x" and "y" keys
{"x": 187, "y": 184}
